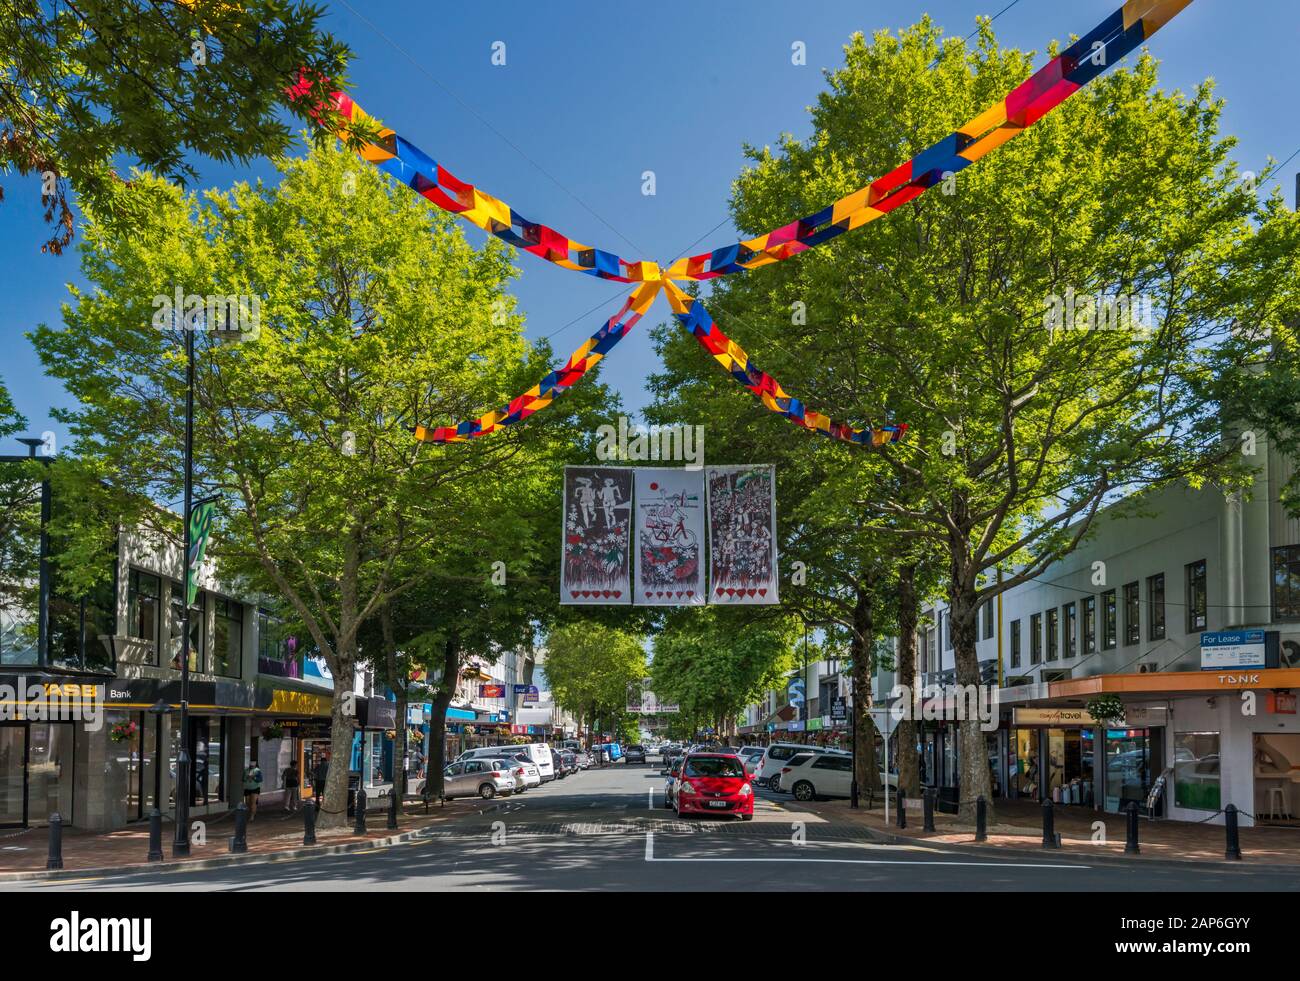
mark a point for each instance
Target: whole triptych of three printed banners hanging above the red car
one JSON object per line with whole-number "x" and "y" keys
{"x": 645, "y": 536}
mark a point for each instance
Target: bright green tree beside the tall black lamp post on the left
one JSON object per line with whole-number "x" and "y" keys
{"x": 375, "y": 315}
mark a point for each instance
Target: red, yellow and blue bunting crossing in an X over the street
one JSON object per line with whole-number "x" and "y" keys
{"x": 1082, "y": 62}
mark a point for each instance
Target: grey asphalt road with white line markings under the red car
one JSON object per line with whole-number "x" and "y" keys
{"x": 608, "y": 830}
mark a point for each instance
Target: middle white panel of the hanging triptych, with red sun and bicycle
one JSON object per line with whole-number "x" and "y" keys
{"x": 670, "y": 509}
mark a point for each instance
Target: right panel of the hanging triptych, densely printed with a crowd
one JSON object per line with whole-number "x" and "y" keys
{"x": 742, "y": 535}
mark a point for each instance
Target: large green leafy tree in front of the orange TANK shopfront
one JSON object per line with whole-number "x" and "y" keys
{"x": 939, "y": 315}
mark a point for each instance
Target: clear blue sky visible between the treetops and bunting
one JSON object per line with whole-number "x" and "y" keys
{"x": 593, "y": 96}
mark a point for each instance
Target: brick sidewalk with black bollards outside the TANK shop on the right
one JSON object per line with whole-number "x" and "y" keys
{"x": 1019, "y": 827}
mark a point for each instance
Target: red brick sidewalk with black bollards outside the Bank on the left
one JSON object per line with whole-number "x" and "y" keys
{"x": 274, "y": 834}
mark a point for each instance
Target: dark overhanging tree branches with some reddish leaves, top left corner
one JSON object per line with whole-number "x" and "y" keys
{"x": 85, "y": 81}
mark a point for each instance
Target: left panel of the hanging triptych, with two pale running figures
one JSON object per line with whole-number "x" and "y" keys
{"x": 597, "y": 535}
